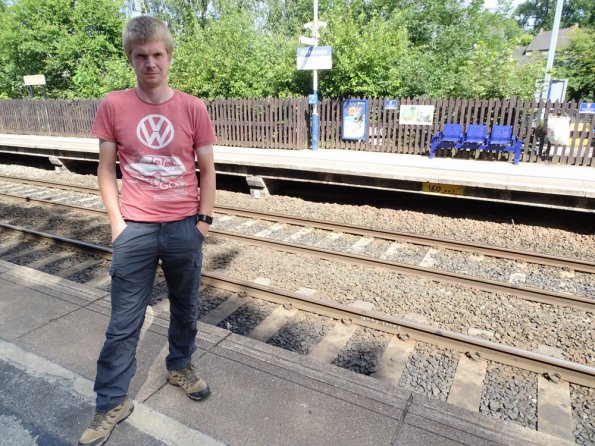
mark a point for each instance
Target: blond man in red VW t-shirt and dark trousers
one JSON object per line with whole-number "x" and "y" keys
{"x": 157, "y": 133}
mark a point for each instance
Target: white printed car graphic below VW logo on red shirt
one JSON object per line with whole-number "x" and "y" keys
{"x": 160, "y": 171}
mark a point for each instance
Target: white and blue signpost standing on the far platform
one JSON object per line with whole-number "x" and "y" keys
{"x": 314, "y": 58}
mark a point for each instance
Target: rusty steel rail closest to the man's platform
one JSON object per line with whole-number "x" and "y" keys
{"x": 527, "y": 360}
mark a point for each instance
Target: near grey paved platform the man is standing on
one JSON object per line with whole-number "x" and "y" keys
{"x": 51, "y": 331}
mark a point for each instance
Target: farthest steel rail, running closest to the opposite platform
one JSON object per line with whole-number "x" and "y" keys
{"x": 492, "y": 251}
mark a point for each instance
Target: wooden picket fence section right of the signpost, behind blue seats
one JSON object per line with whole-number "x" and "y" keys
{"x": 528, "y": 118}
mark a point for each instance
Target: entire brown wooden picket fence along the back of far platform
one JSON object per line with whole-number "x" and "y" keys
{"x": 284, "y": 124}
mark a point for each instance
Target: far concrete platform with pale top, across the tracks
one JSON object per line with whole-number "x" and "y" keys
{"x": 538, "y": 184}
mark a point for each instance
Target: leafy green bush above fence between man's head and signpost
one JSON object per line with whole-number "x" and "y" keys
{"x": 231, "y": 58}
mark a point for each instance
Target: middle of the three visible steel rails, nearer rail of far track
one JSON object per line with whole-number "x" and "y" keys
{"x": 532, "y": 294}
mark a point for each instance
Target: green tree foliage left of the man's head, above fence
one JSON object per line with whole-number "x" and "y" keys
{"x": 70, "y": 43}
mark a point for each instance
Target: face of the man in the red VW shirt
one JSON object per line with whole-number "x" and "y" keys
{"x": 151, "y": 63}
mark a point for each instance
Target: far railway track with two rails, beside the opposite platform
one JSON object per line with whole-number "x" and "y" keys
{"x": 243, "y": 231}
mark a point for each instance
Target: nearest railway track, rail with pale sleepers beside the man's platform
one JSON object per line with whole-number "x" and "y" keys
{"x": 473, "y": 356}
